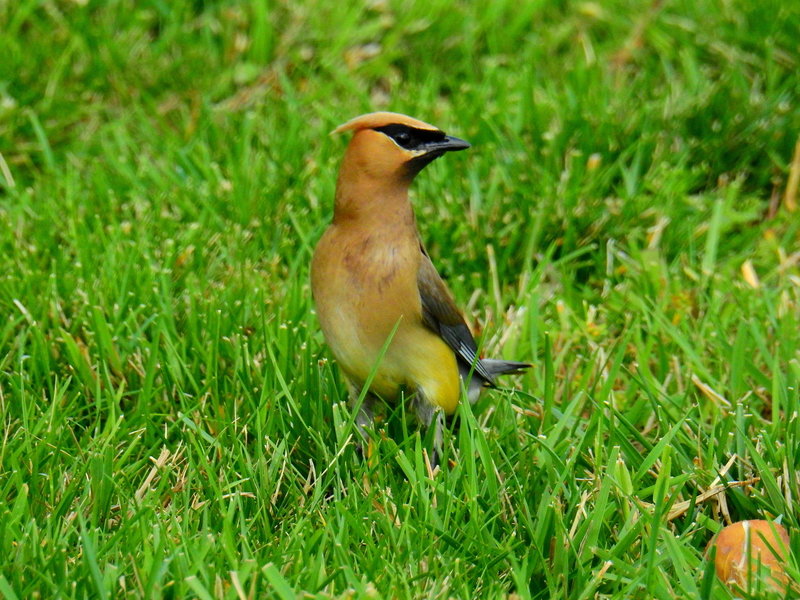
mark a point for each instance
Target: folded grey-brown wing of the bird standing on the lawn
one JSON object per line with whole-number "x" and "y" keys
{"x": 440, "y": 313}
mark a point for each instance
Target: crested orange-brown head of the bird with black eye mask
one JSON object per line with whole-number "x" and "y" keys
{"x": 392, "y": 146}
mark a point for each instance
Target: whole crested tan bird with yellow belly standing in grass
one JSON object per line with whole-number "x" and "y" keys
{"x": 385, "y": 312}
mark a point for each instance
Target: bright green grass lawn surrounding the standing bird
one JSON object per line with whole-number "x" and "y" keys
{"x": 173, "y": 425}
